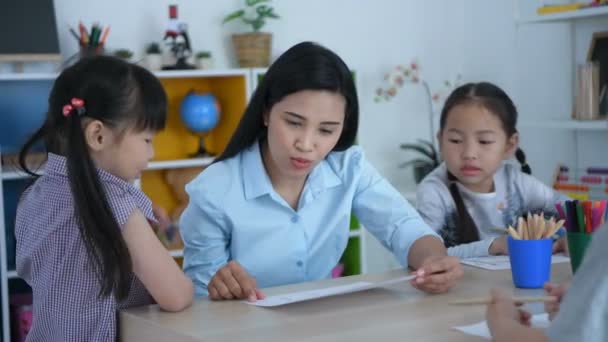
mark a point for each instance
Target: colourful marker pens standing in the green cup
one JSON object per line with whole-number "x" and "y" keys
{"x": 583, "y": 216}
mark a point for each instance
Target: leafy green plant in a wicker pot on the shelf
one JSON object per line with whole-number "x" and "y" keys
{"x": 253, "y": 48}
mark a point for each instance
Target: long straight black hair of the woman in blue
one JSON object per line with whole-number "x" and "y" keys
{"x": 305, "y": 66}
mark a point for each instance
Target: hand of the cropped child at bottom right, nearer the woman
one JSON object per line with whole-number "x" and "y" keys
{"x": 503, "y": 309}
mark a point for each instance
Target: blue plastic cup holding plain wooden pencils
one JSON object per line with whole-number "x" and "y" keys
{"x": 530, "y": 262}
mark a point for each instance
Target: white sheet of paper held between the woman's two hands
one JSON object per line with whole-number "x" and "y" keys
{"x": 301, "y": 296}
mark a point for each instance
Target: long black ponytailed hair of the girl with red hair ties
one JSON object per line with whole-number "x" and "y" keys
{"x": 120, "y": 95}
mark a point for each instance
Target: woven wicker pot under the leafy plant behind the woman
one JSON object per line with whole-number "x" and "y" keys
{"x": 252, "y": 49}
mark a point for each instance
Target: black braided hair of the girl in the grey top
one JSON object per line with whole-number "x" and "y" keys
{"x": 497, "y": 102}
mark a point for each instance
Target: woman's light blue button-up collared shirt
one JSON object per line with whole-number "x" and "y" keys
{"x": 235, "y": 214}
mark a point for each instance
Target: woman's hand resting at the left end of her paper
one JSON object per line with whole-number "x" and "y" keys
{"x": 233, "y": 282}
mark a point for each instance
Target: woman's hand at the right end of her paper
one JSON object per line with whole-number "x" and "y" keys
{"x": 437, "y": 274}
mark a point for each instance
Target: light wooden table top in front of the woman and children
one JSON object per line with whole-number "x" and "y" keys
{"x": 399, "y": 312}
